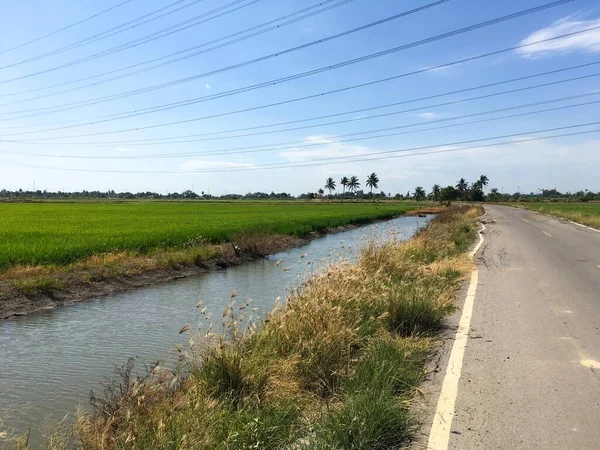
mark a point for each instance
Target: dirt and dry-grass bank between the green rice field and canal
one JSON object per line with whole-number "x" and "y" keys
{"x": 29, "y": 289}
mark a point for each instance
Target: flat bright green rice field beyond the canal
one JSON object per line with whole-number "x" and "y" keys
{"x": 62, "y": 233}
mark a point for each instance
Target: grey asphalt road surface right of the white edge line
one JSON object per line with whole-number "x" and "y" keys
{"x": 531, "y": 369}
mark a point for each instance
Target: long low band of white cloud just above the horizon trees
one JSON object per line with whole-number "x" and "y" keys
{"x": 529, "y": 165}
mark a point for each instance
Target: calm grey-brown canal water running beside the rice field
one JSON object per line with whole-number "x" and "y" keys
{"x": 49, "y": 360}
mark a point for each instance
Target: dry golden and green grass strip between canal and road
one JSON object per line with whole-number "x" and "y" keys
{"x": 335, "y": 366}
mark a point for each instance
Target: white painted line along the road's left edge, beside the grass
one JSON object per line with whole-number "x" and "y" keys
{"x": 439, "y": 435}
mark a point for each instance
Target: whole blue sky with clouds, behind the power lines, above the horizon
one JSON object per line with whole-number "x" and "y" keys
{"x": 567, "y": 163}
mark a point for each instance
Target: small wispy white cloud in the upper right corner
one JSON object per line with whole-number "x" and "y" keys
{"x": 588, "y": 42}
